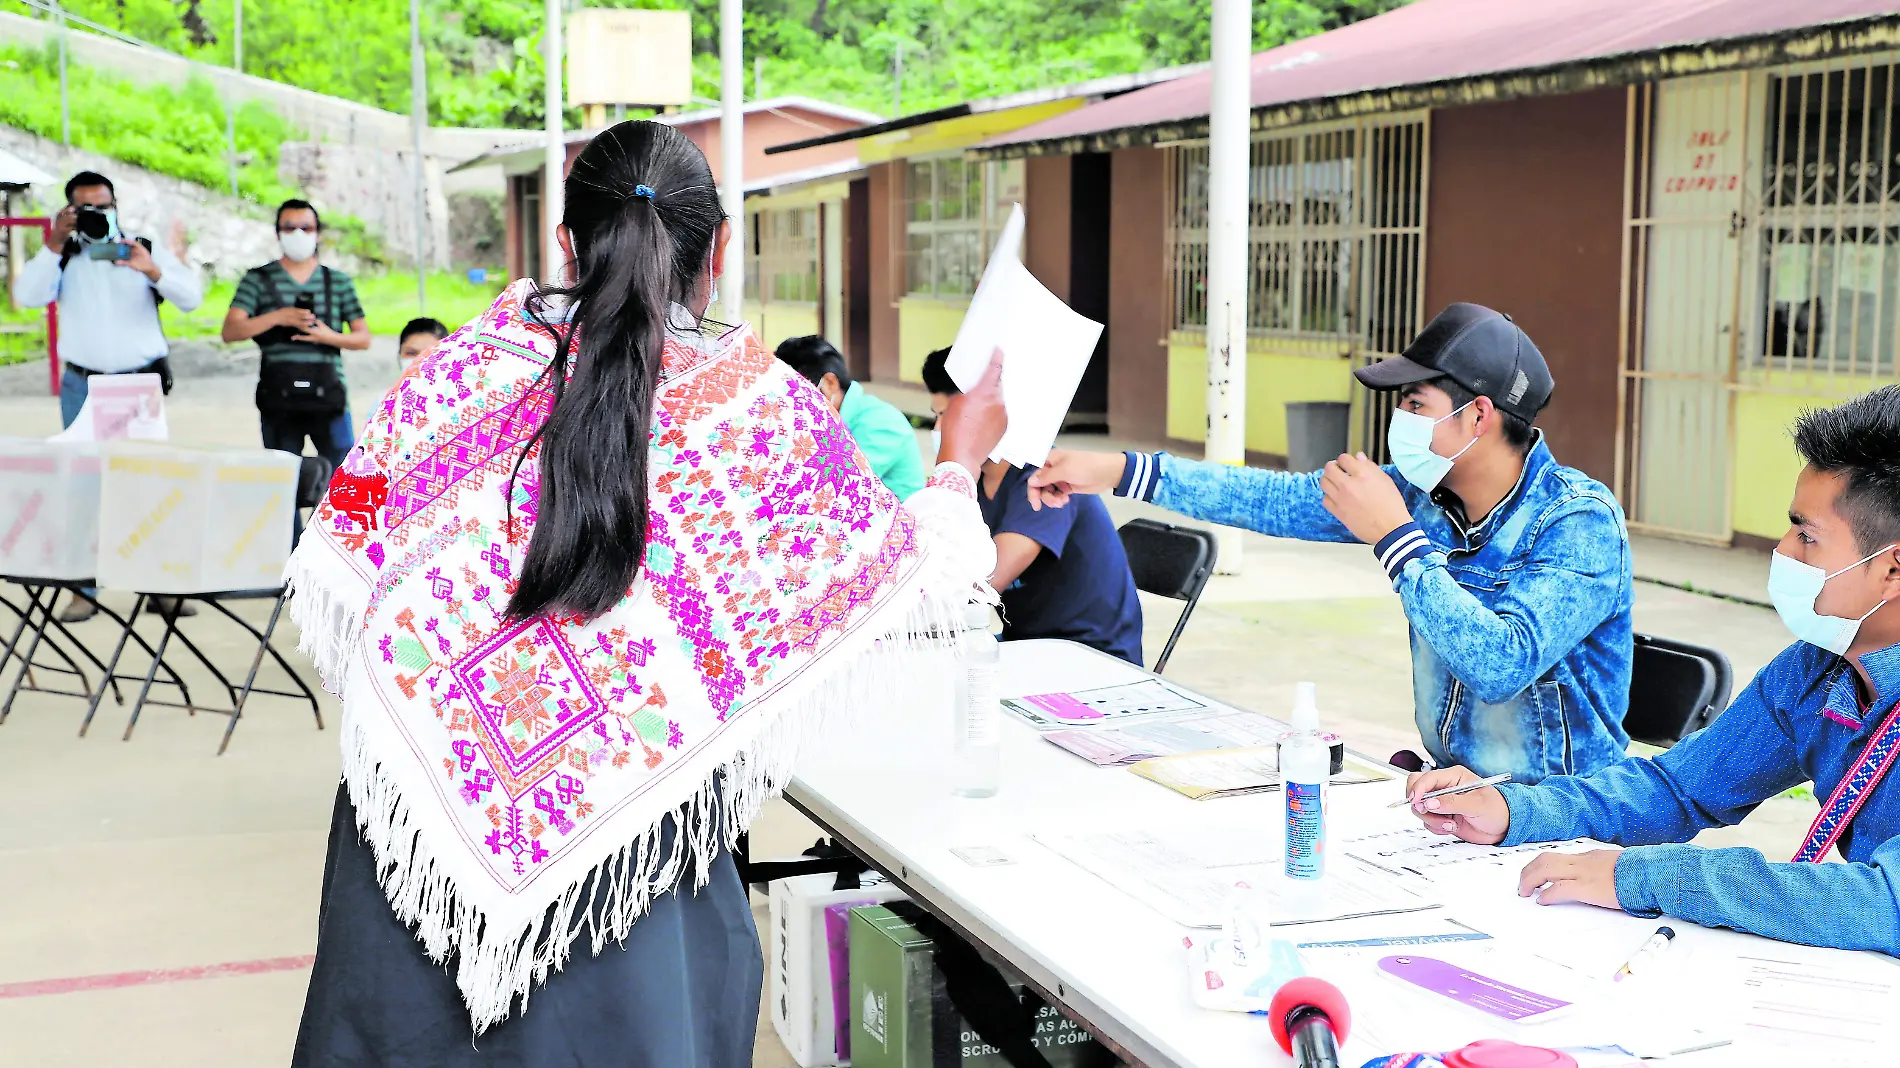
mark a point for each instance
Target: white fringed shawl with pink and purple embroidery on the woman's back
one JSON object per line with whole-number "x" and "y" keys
{"x": 497, "y": 765}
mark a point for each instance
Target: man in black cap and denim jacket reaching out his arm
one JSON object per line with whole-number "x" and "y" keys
{"x": 1515, "y": 571}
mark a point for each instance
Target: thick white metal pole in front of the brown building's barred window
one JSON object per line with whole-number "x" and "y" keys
{"x": 1228, "y": 248}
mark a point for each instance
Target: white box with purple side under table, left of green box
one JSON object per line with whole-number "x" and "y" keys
{"x": 810, "y": 991}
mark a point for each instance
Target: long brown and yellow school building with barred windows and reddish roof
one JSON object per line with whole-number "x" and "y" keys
{"x": 1692, "y": 208}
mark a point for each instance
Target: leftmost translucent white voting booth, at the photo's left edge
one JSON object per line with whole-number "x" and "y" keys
{"x": 48, "y": 508}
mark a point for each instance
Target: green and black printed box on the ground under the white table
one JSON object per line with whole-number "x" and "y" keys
{"x": 903, "y": 1014}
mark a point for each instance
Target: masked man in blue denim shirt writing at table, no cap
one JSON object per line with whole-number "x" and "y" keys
{"x": 1823, "y": 712}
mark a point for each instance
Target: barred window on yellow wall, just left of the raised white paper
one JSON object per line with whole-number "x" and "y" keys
{"x": 955, "y": 210}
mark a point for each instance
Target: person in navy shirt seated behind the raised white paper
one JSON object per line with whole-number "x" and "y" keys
{"x": 1061, "y": 571}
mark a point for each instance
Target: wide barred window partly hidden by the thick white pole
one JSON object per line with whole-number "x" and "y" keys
{"x": 1335, "y": 235}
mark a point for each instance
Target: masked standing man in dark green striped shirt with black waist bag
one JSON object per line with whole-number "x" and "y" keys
{"x": 299, "y": 311}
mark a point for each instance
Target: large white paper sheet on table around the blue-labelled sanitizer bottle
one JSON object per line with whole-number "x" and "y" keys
{"x": 1188, "y": 875}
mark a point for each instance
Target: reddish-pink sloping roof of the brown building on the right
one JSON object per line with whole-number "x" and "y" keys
{"x": 1468, "y": 45}
